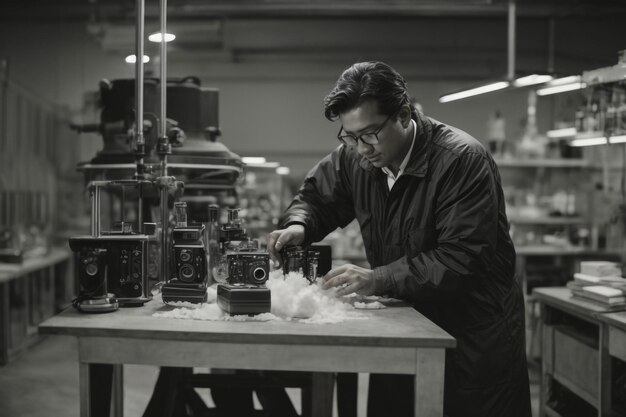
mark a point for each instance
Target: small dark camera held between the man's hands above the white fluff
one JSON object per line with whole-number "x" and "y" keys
{"x": 311, "y": 261}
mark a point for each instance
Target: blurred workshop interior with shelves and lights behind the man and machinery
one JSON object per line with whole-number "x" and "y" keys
{"x": 273, "y": 62}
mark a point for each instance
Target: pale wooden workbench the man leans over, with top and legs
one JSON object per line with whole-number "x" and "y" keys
{"x": 396, "y": 340}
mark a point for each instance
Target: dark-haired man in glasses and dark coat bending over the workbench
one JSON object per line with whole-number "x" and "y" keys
{"x": 429, "y": 202}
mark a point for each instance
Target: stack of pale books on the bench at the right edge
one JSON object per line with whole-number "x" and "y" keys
{"x": 600, "y": 282}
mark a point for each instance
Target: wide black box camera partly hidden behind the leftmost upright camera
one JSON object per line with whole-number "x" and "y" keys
{"x": 126, "y": 255}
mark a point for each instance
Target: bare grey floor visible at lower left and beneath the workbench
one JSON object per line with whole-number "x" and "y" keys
{"x": 43, "y": 381}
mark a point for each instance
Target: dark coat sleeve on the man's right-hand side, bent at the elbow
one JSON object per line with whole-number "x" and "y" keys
{"x": 466, "y": 225}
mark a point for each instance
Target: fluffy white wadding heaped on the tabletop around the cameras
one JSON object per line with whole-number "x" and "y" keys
{"x": 293, "y": 299}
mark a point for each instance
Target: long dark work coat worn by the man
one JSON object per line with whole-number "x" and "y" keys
{"x": 439, "y": 240}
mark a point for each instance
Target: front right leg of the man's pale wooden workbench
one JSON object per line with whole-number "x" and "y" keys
{"x": 429, "y": 376}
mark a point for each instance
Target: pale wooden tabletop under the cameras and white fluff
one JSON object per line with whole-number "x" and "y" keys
{"x": 395, "y": 326}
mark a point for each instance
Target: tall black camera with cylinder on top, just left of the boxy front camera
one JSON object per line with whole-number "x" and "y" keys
{"x": 189, "y": 266}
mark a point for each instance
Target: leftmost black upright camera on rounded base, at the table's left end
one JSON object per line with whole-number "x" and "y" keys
{"x": 91, "y": 269}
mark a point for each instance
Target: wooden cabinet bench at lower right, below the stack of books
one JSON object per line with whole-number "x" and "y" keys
{"x": 574, "y": 352}
